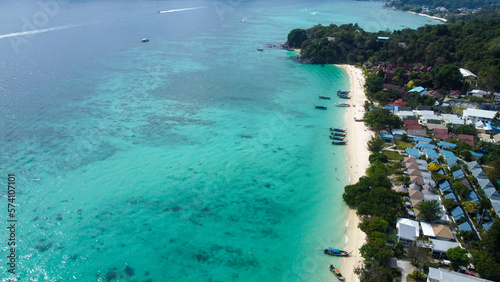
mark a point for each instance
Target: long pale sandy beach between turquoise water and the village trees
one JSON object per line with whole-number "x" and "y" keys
{"x": 357, "y": 154}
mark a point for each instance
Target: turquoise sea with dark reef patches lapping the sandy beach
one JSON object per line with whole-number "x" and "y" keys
{"x": 193, "y": 157}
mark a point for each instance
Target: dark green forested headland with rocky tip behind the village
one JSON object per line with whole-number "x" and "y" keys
{"x": 469, "y": 42}
